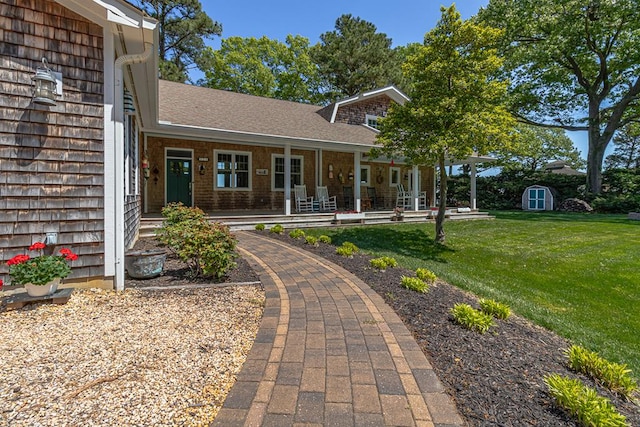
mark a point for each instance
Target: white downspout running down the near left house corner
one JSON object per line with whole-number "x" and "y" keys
{"x": 118, "y": 112}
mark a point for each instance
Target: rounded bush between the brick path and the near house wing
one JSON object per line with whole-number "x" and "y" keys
{"x": 207, "y": 248}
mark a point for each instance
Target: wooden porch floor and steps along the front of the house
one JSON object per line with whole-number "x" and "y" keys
{"x": 247, "y": 220}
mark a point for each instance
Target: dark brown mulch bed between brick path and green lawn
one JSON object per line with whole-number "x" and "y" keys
{"x": 496, "y": 378}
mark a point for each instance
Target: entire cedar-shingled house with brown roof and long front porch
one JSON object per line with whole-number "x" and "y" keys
{"x": 92, "y": 139}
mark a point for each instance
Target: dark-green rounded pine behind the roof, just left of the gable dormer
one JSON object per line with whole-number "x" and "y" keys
{"x": 354, "y": 58}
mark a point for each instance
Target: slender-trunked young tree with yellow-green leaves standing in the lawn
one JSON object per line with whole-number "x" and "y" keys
{"x": 456, "y": 108}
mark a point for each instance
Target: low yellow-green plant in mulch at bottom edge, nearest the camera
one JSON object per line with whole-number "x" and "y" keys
{"x": 583, "y": 402}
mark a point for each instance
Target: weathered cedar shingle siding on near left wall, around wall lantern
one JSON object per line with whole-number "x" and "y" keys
{"x": 51, "y": 158}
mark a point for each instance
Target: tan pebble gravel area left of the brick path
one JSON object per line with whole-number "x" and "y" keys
{"x": 135, "y": 358}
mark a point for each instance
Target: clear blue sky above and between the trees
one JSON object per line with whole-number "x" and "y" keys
{"x": 404, "y": 21}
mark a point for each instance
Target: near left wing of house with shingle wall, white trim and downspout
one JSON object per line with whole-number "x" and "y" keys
{"x": 68, "y": 153}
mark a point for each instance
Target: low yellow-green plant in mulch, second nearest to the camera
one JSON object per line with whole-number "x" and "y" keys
{"x": 616, "y": 377}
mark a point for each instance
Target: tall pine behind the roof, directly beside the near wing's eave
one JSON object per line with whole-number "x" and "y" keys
{"x": 184, "y": 26}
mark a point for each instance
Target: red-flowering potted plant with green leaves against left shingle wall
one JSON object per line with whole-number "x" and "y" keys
{"x": 41, "y": 269}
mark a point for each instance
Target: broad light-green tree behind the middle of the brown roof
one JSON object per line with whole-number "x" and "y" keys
{"x": 265, "y": 67}
